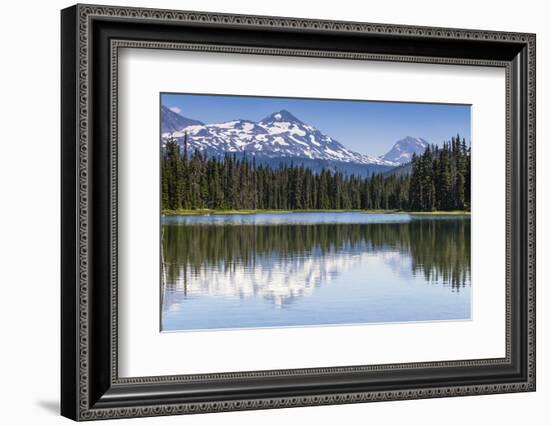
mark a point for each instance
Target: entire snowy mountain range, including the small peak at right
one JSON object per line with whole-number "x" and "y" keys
{"x": 281, "y": 138}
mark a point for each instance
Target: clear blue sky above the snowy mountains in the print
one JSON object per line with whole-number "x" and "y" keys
{"x": 364, "y": 126}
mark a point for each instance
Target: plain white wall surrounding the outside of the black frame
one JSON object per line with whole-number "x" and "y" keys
{"x": 29, "y": 212}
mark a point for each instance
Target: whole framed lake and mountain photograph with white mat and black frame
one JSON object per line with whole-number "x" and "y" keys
{"x": 263, "y": 212}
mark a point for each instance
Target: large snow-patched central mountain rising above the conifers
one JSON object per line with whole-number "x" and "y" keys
{"x": 278, "y": 136}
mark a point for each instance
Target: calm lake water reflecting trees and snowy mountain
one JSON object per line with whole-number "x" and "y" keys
{"x": 298, "y": 269}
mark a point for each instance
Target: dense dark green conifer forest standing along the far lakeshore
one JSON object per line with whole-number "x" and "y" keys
{"x": 439, "y": 180}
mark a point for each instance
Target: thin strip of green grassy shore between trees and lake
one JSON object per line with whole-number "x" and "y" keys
{"x": 183, "y": 212}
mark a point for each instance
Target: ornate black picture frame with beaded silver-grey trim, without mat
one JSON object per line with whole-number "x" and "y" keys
{"x": 91, "y": 36}
